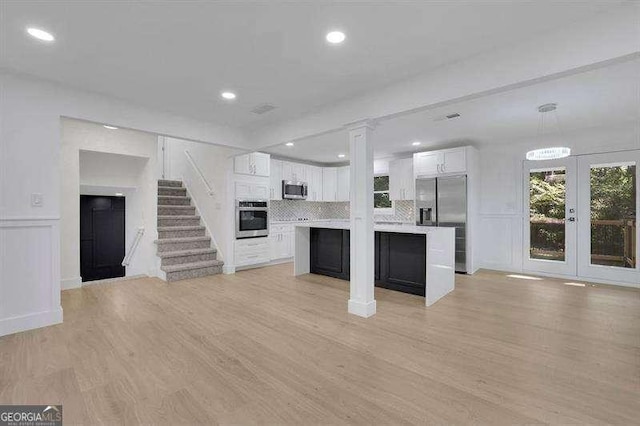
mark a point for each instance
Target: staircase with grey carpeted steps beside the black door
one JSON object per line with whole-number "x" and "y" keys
{"x": 183, "y": 247}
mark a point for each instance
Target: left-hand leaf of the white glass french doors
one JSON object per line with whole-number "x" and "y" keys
{"x": 550, "y": 223}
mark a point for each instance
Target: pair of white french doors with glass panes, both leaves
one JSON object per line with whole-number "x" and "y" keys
{"x": 582, "y": 217}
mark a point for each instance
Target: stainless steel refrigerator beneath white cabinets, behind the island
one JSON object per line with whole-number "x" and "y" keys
{"x": 443, "y": 202}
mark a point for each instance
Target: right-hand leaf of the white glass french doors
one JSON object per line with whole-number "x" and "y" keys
{"x": 608, "y": 229}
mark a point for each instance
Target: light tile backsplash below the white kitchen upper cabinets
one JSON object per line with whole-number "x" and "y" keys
{"x": 314, "y": 210}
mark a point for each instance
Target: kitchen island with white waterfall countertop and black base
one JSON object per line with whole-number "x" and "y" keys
{"x": 413, "y": 259}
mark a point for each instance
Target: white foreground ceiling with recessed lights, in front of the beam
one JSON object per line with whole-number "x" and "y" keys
{"x": 178, "y": 56}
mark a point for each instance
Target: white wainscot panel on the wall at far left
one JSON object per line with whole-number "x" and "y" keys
{"x": 29, "y": 273}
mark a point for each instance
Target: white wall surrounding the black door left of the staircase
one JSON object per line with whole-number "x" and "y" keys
{"x": 93, "y": 156}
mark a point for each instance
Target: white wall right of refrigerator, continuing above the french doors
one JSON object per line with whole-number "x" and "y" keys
{"x": 502, "y": 207}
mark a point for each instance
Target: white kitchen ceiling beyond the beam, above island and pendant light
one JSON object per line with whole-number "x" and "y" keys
{"x": 596, "y": 98}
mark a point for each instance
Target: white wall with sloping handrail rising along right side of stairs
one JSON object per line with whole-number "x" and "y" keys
{"x": 216, "y": 165}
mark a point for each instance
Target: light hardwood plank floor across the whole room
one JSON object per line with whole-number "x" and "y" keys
{"x": 264, "y": 347}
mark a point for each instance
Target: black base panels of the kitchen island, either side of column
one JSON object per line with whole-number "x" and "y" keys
{"x": 400, "y": 259}
